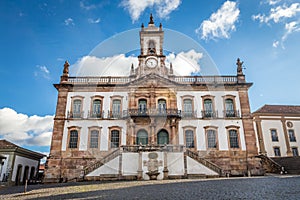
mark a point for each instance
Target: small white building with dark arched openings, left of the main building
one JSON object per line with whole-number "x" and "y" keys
{"x": 18, "y": 164}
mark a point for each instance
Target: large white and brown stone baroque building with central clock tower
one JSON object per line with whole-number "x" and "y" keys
{"x": 152, "y": 124}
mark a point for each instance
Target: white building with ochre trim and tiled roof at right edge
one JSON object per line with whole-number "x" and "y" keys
{"x": 278, "y": 130}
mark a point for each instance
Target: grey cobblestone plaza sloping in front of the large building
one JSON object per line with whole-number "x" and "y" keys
{"x": 269, "y": 187}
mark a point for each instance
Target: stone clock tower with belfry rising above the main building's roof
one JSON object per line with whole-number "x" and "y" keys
{"x": 151, "y": 58}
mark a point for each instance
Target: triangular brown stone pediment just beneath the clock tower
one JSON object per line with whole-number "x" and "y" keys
{"x": 153, "y": 80}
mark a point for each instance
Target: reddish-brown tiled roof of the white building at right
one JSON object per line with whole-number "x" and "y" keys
{"x": 279, "y": 109}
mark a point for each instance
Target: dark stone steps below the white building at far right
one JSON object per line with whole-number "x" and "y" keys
{"x": 291, "y": 164}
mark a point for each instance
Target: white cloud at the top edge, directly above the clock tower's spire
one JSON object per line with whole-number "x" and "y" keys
{"x": 163, "y": 7}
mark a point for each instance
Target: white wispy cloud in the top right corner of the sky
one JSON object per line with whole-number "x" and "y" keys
{"x": 279, "y": 13}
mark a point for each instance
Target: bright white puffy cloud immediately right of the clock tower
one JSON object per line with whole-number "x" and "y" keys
{"x": 185, "y": 63}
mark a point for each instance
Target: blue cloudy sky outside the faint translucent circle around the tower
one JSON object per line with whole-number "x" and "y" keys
{"x": 38, "y": 36}
